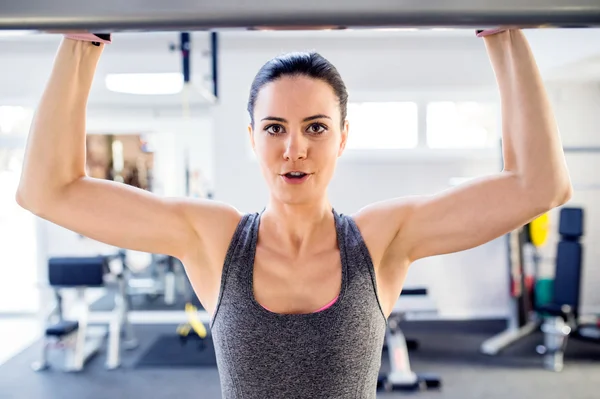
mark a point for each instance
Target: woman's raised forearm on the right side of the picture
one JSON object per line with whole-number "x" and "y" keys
{"x": 531, "y": 141}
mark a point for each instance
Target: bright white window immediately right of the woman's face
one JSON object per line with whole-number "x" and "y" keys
{"x": 383, "y": 125}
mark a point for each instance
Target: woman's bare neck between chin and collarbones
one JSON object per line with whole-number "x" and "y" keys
{"x": 297, "y": 227}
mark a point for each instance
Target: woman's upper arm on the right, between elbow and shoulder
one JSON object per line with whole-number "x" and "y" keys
{"x": 465, "y": 216}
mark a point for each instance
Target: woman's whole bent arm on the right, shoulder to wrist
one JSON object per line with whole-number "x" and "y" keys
{"x": 534, "y": 180}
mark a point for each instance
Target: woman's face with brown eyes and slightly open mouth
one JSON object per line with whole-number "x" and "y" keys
{"x": 297, "y": 128}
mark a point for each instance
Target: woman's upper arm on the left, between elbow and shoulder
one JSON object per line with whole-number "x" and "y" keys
{"x": 125, "y": 216}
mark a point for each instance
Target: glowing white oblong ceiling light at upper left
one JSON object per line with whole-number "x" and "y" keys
{"x": 145, "y": 83}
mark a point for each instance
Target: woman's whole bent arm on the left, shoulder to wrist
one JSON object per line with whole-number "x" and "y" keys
{"x": 55, "y": 187}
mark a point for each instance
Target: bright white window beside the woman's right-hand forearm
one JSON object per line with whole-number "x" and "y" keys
{"x": 462, "y": 125}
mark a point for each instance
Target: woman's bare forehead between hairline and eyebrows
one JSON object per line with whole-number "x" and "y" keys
{"x": 296, "y": 96}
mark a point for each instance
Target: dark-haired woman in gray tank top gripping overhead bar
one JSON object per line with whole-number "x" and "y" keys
{"x": 298, "y": 294}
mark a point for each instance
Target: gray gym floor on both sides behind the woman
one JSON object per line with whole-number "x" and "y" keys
{"x": 449, "y": 349}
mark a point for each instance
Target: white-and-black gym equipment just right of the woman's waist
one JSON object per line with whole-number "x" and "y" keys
{"x": 401, "y": 377}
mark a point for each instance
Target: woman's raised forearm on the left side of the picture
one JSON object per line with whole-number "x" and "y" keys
{"x": 55, "y": 153}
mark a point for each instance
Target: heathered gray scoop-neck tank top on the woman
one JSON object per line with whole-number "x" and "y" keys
{"x": 335, "y": 353}
